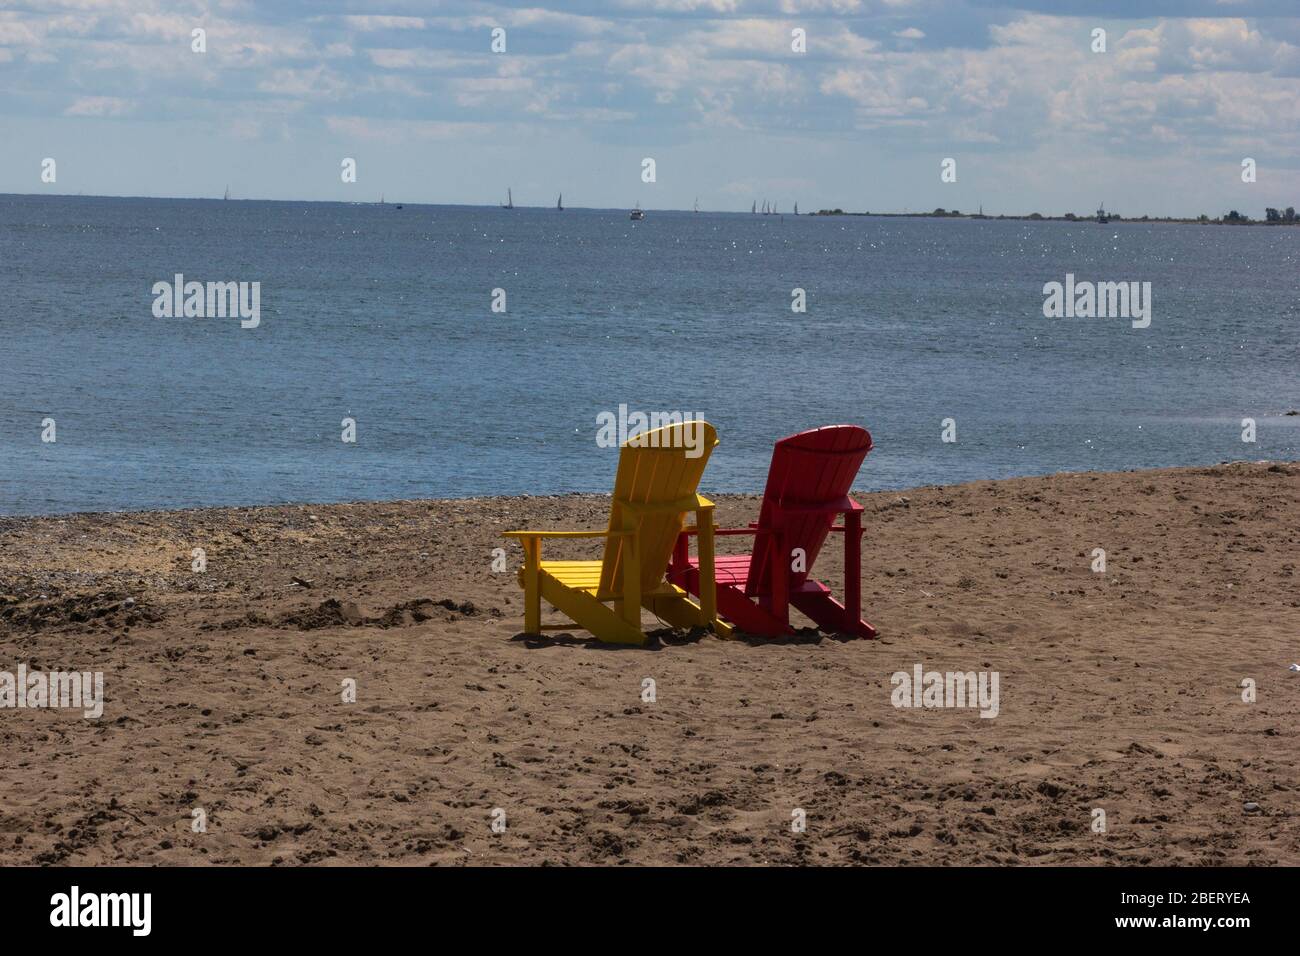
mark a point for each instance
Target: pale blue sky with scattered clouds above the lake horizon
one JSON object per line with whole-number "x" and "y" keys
{"x": 709, "y": 89}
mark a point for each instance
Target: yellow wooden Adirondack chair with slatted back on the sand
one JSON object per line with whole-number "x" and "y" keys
{"x": 653, "y": 491}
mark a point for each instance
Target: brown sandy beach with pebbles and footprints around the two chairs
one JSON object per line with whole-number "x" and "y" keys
{"x": 1120, "y": 691}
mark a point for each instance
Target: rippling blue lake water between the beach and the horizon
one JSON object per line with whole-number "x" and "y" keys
{"x": 384, "y": 315}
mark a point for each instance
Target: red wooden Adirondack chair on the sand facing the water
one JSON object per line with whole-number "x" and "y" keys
{"x": 808, "y": 487}
